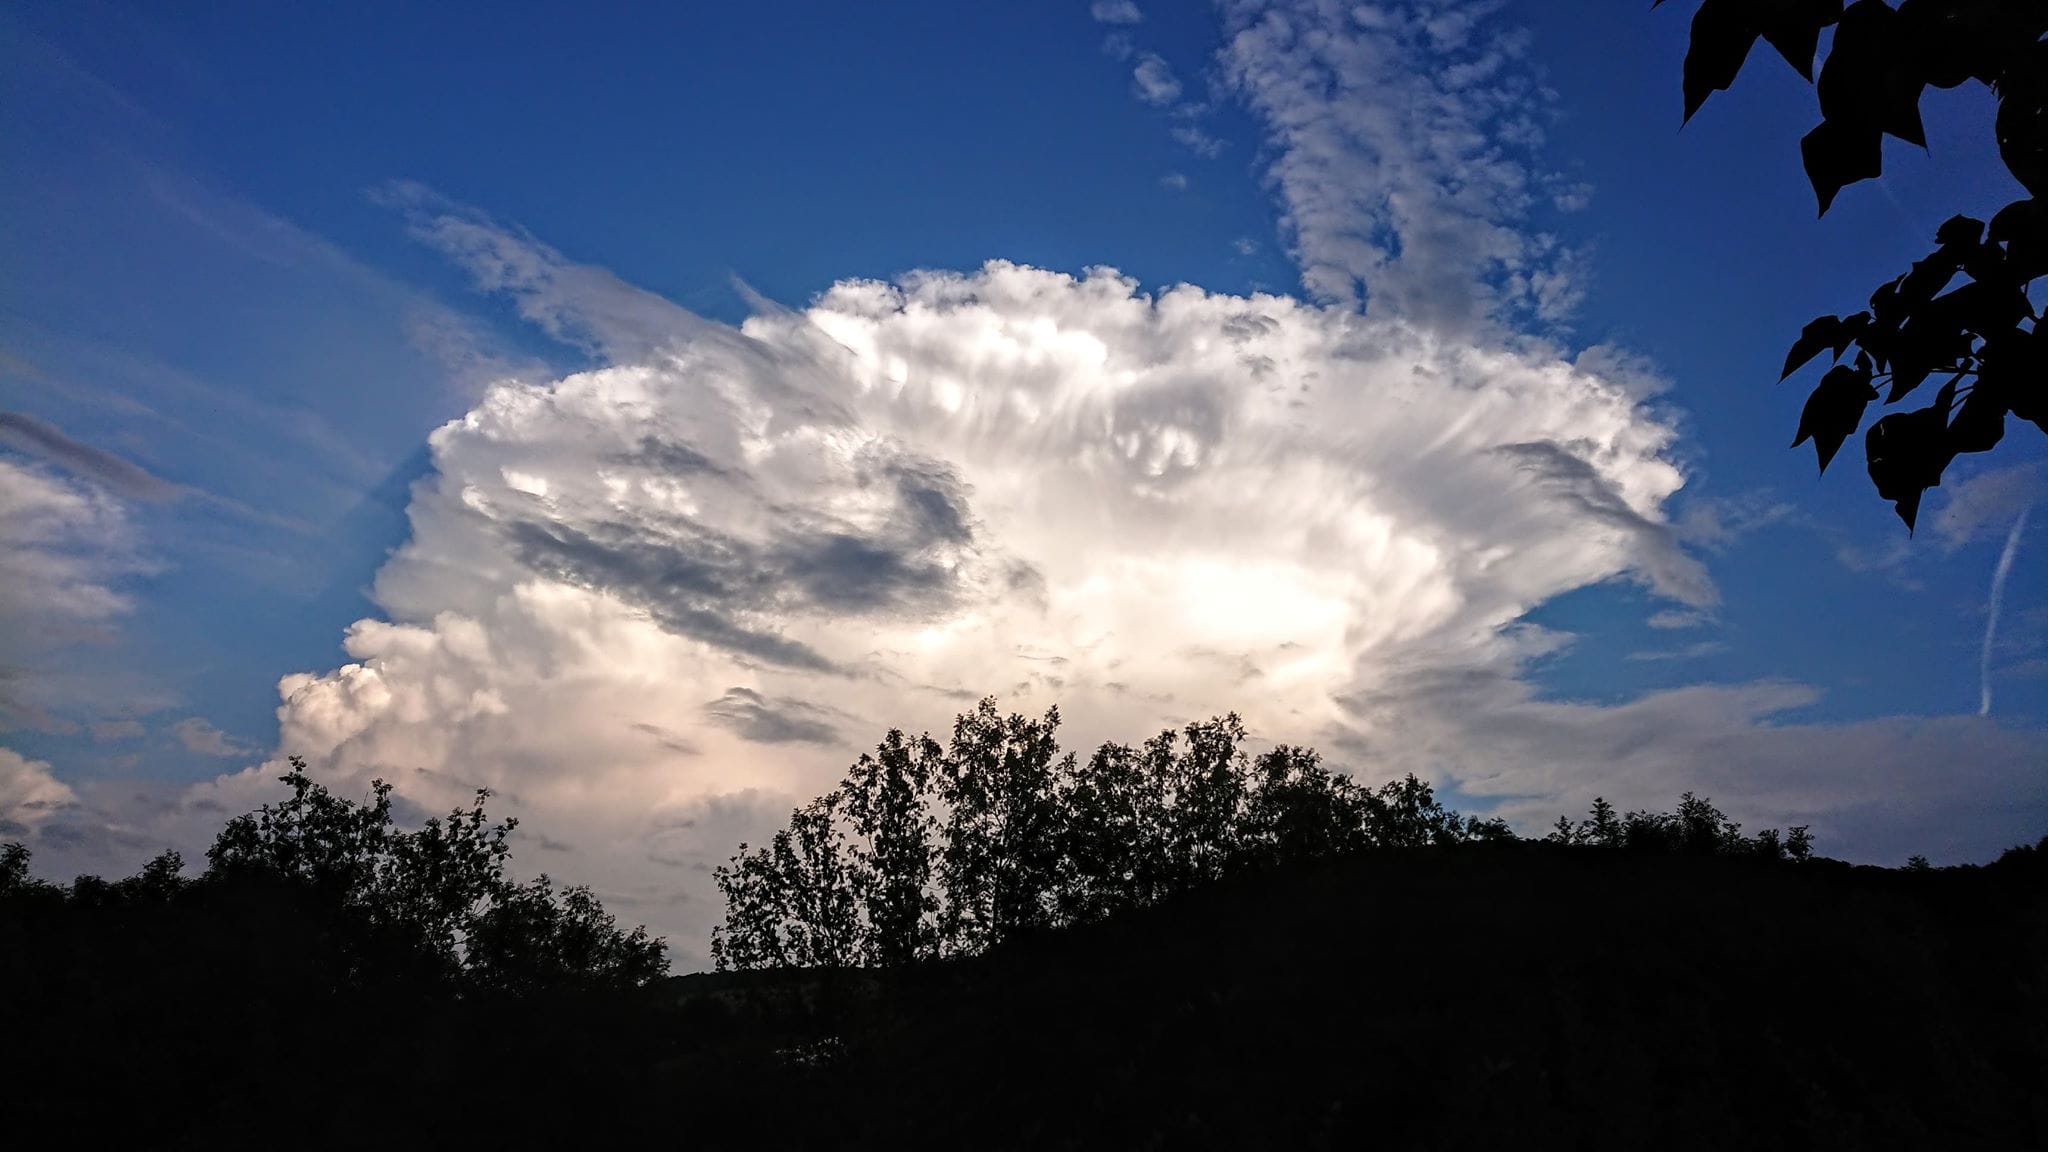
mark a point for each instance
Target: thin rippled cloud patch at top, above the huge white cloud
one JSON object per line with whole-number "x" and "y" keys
{"x": 1406, "y": 142}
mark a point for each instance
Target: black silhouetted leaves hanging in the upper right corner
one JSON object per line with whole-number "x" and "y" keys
{"x": 1981, "y": 337}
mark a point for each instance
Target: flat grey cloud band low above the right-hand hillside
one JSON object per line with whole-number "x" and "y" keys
{"x": 1955, "y": 788}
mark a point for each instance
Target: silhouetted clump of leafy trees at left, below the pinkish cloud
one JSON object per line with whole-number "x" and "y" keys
{"x": 372, "y": 903}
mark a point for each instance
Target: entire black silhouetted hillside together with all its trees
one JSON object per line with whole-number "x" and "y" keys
{"x": 990, "y": 944}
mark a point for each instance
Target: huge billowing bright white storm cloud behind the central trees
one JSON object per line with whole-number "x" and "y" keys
{"x": 656, "y": 602}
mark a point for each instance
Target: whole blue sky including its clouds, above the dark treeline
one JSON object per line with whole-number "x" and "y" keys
{"x": 257, "y": 255}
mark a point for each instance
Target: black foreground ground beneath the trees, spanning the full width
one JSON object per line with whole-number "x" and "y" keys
{"x": 1478, "y": 997}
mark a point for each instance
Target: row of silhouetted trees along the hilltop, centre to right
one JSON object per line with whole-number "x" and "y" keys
{"x": 957, "y": 850}
